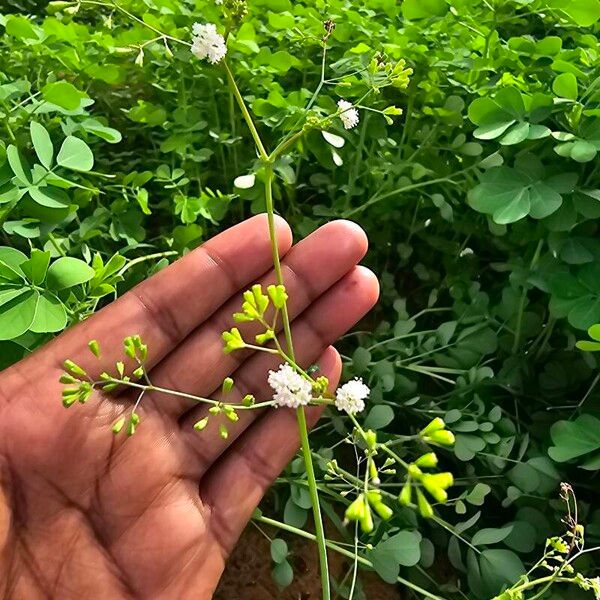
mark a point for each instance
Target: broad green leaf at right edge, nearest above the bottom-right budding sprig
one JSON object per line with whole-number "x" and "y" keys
{"x": 573, "y": 439}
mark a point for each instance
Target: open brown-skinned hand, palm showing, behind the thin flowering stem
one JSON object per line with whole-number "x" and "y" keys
{"x": 85, "y": 514}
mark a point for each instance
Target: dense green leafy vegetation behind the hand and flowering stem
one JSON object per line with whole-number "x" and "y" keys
{"x": 482, "y": 202}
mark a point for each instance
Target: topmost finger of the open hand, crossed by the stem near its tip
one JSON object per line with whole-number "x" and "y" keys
{"x": 164, "y": 309}
